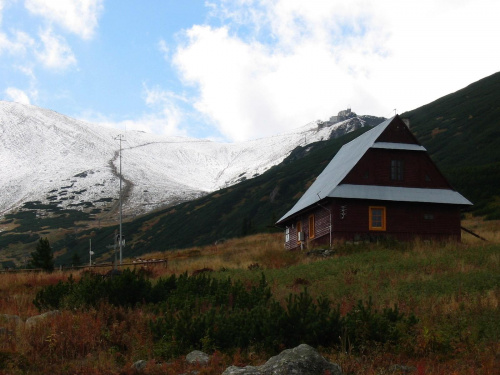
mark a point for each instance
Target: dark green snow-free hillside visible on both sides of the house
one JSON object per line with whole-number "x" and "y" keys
{"x": 459, "y": 130}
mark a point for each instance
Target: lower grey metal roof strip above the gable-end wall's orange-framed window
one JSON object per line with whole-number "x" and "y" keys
{"x": 401, "y": 194}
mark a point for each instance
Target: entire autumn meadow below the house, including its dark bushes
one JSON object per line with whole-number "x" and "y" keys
{"x": 372, "y": 308}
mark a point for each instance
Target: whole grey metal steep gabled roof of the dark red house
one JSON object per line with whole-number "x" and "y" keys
{"x": 328, "y": 184}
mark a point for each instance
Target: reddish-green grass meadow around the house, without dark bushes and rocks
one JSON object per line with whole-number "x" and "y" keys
{"x": 452, "y": 289}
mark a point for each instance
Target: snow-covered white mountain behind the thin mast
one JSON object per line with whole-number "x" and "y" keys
{"x": 51, "y": 158}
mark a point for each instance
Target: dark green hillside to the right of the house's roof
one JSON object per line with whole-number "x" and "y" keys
{"x": 461, "y": 131}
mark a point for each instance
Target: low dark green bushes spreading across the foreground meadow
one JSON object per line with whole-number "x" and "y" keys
{"x": 205, "y": 313}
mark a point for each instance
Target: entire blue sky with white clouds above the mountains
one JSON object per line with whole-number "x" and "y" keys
{"x": 236, "y": 70}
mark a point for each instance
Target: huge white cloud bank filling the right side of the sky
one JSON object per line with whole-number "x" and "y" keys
{"x": 307, "y": 60}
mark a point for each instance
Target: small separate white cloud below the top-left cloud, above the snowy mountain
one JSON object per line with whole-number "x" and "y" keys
{"x": 56, "y": 53}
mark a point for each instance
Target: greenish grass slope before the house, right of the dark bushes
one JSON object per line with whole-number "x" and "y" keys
{"x": 453, "y": 289}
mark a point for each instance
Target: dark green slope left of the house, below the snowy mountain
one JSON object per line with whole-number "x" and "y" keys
{"x": 249, "y": 207}
